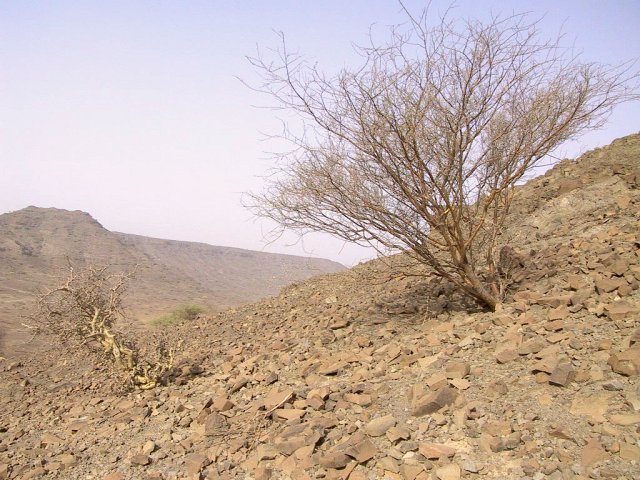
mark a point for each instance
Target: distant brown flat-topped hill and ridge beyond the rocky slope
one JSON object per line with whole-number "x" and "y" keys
{"x": 36, "y": 242}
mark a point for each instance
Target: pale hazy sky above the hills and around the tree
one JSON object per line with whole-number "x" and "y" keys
{"x": 131, "y": 110}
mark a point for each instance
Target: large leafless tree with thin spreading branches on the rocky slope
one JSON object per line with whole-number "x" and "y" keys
{"x": 420, "y": 148}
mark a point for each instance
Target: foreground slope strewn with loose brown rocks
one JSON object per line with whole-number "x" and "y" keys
{"x": 370, "y": 374}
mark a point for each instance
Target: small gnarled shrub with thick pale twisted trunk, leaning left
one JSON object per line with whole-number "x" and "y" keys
{"x": 85, "y": 308}
